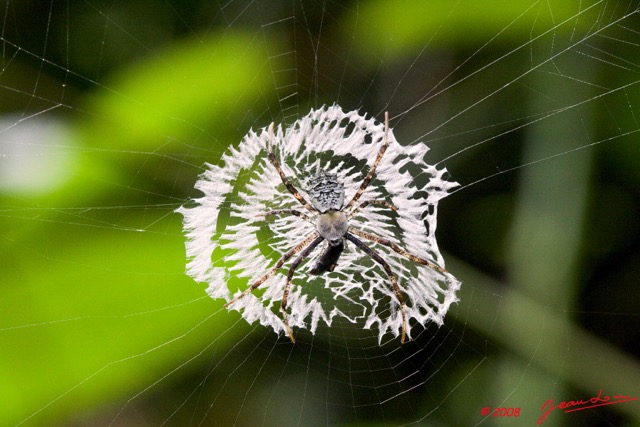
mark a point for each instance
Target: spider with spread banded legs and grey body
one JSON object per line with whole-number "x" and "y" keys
{"x": 330, "y": 217}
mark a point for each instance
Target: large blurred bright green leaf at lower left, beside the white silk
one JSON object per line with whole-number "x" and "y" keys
{"x": 101, "y": 317}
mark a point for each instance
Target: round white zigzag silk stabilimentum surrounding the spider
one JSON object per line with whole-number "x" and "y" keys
{"x": 231, "y": 243}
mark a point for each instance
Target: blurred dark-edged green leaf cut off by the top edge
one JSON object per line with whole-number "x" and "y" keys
{"x": 384, "y": 29}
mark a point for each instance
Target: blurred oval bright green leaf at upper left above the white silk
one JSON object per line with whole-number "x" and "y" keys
{"x": 180, "y": 91}
